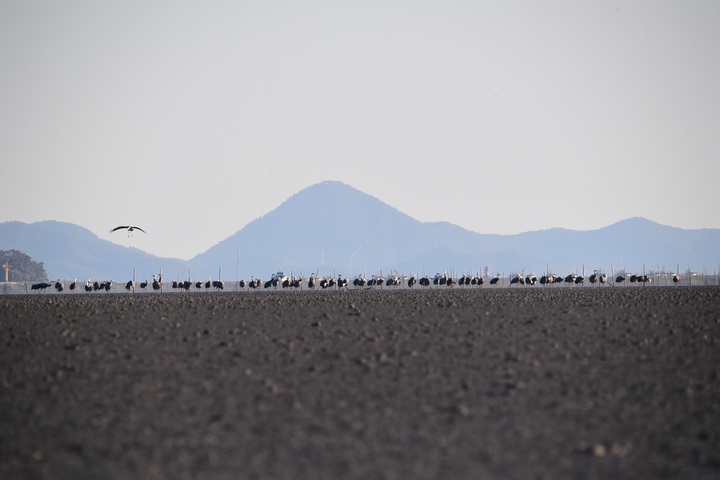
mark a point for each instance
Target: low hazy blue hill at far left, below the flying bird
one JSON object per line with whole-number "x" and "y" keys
{"x": 69, "y": 251}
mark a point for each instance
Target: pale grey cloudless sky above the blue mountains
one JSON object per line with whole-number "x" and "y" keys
{"x": 192, "y": 119}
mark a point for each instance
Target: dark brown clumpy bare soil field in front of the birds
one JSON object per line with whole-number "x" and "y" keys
{"x": 507, "y": 383}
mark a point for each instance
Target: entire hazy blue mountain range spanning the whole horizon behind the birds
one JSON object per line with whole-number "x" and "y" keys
{"x": 331, "y": 228}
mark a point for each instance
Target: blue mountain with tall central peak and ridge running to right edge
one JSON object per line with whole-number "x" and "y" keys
{"x": 332, "y": 227}
